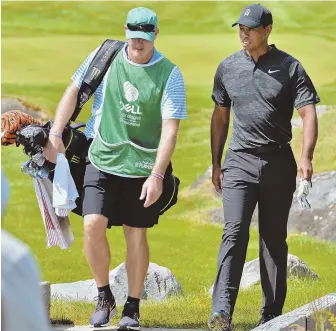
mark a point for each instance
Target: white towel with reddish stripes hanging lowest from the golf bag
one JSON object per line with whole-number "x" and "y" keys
{"x": 57, "y": 228}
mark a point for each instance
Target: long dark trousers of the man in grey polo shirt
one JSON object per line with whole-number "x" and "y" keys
{"x": 268, "y": 179}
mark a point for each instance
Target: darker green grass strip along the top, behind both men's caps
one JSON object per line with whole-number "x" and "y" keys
{"x": 29, "y": 18}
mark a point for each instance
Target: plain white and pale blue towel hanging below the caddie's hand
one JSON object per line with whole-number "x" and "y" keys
{"x": 64, "y": 188}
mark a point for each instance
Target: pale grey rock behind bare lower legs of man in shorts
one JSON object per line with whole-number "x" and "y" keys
{"x": 160, "y": 283}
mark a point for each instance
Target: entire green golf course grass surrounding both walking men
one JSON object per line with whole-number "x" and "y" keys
{"x": 42, "y": 45}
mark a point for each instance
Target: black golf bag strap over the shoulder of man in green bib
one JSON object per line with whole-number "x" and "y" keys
{"x": 96, "y": 72}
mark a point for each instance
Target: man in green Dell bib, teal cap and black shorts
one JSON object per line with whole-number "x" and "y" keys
{"x": 134, "y": 124}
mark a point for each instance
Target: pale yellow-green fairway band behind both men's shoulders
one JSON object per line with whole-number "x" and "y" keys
{"x": 197, "y": 56}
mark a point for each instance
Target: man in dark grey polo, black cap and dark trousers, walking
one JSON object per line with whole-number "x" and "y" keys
{"x": 261, "y": 84}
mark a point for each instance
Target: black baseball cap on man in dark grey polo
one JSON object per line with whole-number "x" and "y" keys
{"x": 254, "y": 16}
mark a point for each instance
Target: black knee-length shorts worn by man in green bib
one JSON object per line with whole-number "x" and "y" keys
{"x": 117, "y": 198}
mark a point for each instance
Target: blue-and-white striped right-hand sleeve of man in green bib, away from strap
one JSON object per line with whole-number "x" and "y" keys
{"x": 173, "y": 104}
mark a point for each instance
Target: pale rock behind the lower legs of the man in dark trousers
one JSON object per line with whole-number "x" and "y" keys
{"x": 251, "y": 271}
